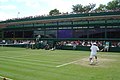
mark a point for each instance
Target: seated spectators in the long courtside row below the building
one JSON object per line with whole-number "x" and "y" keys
{"x": 64, "y": 43}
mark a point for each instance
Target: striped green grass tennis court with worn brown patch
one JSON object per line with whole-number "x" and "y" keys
{"x": 27, "y": 64}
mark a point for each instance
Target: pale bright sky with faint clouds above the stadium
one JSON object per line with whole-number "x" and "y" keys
{"x": 23, "y": 8}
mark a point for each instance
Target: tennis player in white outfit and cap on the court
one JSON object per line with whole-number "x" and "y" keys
{"x": 94, "y": 48}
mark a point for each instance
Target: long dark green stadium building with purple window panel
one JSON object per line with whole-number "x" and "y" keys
{"x": 102, "y": 26}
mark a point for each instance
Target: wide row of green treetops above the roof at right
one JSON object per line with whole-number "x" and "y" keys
{"x": 112, "y": 5}
